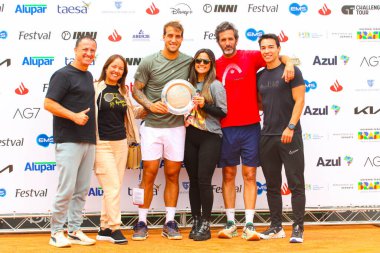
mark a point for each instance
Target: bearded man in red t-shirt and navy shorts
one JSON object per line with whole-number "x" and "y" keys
{"x": 237, "y": 69}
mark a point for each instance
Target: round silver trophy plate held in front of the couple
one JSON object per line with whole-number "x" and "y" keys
{"x": 178, "y": 96}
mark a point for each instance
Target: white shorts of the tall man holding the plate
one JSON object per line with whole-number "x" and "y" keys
{"x": 157, "y": 143}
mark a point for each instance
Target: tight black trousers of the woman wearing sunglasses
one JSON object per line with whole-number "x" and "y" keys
{"x": 202, "y": 152}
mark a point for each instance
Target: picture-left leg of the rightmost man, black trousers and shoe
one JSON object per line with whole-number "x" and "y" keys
{"x": 272, "y": 165}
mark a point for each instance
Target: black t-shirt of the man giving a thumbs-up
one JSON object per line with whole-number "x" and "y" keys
{"x": 74, "y": 90}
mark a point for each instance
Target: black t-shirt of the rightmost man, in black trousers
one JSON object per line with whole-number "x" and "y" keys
{"x": 277, "y": 99}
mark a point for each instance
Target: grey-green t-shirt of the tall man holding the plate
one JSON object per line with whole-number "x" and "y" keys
{"x": 155, "y": 71}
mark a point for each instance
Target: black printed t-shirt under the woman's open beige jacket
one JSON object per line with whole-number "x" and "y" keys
{"x": 112, "y": 108}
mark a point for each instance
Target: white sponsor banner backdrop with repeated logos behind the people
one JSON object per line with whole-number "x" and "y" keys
{"x": 334, "y": 43}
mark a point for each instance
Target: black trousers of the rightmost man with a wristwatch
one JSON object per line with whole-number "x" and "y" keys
{"x": 273, "y": 155}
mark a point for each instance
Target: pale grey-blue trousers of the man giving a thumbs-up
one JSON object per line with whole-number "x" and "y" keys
{"x": 75, "y": 162}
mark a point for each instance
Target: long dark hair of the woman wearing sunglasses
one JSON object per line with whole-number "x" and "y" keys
{"x": 209, "y": 78}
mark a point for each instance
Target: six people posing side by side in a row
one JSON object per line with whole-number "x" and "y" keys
{"x": 93, "y": 124}
